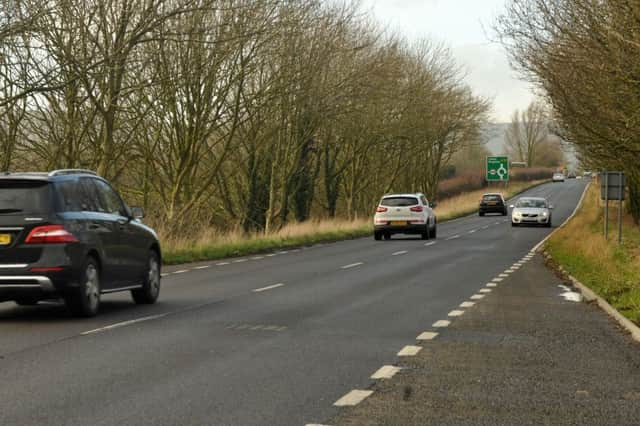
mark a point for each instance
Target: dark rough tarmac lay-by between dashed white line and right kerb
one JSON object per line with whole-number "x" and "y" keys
{"x": 521, "y": 355}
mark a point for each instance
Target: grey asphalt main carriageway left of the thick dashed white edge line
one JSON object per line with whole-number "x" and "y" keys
{"x": 254, "y": 341}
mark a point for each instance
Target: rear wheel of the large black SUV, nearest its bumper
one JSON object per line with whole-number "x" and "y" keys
{"x": 84, "y": 300}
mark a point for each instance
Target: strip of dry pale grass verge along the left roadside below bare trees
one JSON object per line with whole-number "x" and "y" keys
{"x": 211, "y": 245}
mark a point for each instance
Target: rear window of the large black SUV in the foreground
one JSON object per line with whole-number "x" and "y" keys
{"x": 24, "y": 196}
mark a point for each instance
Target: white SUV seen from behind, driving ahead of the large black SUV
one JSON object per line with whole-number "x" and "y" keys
{"x": 404, "y": 214}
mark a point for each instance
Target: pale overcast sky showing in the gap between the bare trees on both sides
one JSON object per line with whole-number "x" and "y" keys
{"x": 463, "y": 26}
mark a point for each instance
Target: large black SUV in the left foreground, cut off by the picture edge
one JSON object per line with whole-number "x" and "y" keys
{"x": 68, "y": 234}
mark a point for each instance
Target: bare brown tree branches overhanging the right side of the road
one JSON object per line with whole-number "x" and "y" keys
{"x": 585, "y": 56}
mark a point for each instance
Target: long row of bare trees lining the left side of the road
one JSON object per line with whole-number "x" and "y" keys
{"x": 231, "y": 113}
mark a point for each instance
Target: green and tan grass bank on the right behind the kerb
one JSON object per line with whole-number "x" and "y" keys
{"x": 609, "y": 269}
